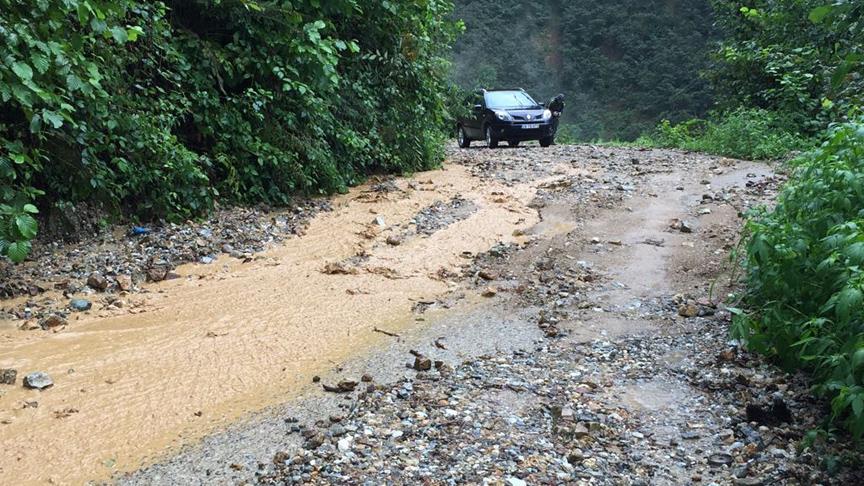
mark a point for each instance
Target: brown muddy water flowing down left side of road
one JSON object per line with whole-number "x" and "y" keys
{"x": 230, "y": 339}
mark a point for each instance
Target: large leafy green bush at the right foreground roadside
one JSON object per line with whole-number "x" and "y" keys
{"x": 805, "y": 270}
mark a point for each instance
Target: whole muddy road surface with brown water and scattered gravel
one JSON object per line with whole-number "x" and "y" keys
{"x": 520, "y": 315}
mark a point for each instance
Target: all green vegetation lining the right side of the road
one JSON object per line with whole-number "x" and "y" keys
{"x": 785, "y": 71}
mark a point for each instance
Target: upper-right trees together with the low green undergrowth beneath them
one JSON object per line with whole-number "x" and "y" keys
{"x": 783, "y": 71}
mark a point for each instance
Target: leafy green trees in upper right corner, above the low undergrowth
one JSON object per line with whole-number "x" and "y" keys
{"x": 800, "y": 58}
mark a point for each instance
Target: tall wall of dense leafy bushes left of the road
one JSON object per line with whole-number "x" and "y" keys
{"x": 153, "y": 109}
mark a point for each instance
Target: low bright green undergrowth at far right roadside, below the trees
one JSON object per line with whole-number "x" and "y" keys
{"x": 743, "y": 133}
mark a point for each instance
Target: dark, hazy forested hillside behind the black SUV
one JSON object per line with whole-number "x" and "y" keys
{"x": 623, "y": 65}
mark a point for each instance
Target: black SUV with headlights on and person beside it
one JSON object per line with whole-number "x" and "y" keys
{"x": 510, "y": 115}
